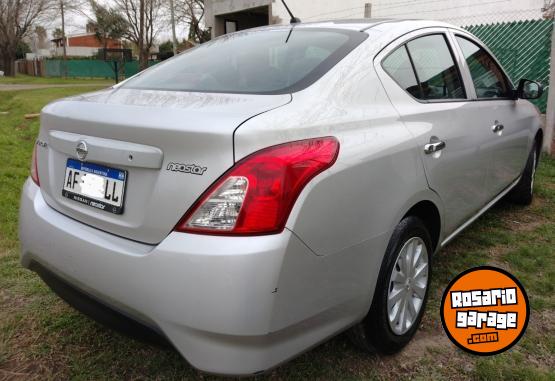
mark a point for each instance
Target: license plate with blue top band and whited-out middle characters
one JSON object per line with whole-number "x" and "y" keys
{"x": 95, "y": 185}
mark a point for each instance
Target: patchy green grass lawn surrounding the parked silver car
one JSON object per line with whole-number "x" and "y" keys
{"x": 42, "y": 338}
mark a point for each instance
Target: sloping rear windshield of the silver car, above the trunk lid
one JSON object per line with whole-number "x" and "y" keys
{"x": 256, "y": 62}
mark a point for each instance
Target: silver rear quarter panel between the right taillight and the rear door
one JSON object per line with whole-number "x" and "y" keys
{"x": 375, "y": 146}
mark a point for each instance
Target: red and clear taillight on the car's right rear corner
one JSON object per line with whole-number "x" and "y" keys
{"x": 257, "y": 194}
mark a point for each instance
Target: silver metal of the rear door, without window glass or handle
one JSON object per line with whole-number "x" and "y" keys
{"x": 458, "y": 173}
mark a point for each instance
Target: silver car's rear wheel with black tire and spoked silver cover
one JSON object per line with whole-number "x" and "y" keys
{"x": 389, "y": 326}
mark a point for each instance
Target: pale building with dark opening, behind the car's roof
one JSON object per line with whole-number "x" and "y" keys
{"x": 225, "y": 16}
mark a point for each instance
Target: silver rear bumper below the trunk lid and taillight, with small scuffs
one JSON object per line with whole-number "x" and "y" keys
{"x": 230, "y": 305}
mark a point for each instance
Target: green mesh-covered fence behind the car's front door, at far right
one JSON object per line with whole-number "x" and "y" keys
{"x": 522, "y": 47}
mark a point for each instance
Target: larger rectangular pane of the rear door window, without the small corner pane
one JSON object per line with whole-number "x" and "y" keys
{"x": 435, "y": 68}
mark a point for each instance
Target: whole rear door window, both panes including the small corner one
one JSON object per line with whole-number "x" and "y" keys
{"x": 425, "y": 68}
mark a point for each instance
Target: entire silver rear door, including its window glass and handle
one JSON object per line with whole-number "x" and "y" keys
{"x": 422, "y": 77}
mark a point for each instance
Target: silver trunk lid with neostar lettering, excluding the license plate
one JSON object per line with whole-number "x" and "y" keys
{"x": 183, "y": 128}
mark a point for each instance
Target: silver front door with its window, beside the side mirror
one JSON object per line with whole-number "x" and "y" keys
{"x": 496, "y": 111}
